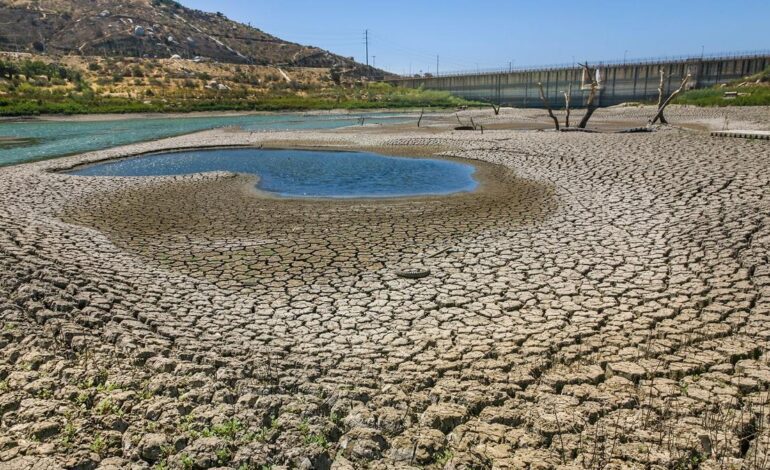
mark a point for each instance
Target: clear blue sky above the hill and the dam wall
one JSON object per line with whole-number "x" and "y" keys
{"x": 491, "y": 33}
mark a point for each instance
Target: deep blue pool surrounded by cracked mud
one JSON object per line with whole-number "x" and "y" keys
{"x": 299, "y": 173}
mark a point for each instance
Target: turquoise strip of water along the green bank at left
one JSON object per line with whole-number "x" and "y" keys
{"x": 48, "y": 139}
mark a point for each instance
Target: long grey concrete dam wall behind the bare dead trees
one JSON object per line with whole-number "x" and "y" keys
{"x": 622, "y": 82}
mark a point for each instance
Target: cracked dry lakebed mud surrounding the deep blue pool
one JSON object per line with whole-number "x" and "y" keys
{"x": 602, "y": 302}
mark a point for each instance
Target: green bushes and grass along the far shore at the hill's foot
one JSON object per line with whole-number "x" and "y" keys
{"x": 33, "y": 88}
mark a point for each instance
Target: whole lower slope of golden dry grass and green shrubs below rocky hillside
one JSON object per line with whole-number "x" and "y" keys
{"x": 81, "y": 85}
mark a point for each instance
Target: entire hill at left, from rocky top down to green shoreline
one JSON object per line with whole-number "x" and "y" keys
{"x": 101, "y": 56}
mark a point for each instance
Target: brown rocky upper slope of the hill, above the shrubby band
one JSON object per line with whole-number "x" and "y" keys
{"x": 147, "y": 28}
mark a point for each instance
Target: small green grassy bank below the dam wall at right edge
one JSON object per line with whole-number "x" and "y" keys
{"x": 751, "y": 91}
